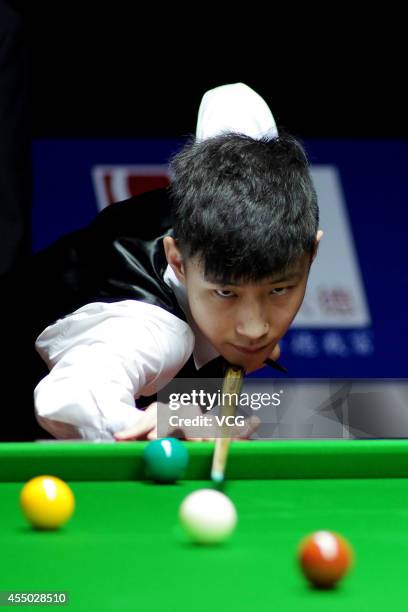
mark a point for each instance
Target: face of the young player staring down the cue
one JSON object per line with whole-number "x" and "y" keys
{"x": 244, "y": 322}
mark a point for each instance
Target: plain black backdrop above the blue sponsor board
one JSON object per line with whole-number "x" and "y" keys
{"x": 122, "y": 69}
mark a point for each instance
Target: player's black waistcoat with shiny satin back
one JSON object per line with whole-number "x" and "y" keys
{"x": 119, "y": 256}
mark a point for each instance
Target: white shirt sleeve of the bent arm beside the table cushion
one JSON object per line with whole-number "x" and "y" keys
{"x": 101, "y": 358}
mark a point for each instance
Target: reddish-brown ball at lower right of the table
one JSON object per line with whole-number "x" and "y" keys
{"x": 325, "y": 557}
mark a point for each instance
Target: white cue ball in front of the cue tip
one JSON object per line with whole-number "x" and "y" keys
{"x": 208, "y": 516}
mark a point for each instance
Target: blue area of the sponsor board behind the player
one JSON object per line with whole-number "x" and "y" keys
{"x": 72, "y": 177}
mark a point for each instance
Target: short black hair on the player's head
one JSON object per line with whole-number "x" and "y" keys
{"x": 246, "y": 207}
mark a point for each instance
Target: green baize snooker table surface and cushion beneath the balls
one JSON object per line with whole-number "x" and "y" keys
{"x": 123, "y": 549}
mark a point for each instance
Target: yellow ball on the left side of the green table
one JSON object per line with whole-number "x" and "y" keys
{"x": 47, "y": 502}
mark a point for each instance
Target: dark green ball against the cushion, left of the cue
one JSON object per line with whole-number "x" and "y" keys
{"x": 165, "y": 460}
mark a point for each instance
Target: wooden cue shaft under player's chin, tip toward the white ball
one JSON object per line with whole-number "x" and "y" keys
{"x": 231, "y": 389}
